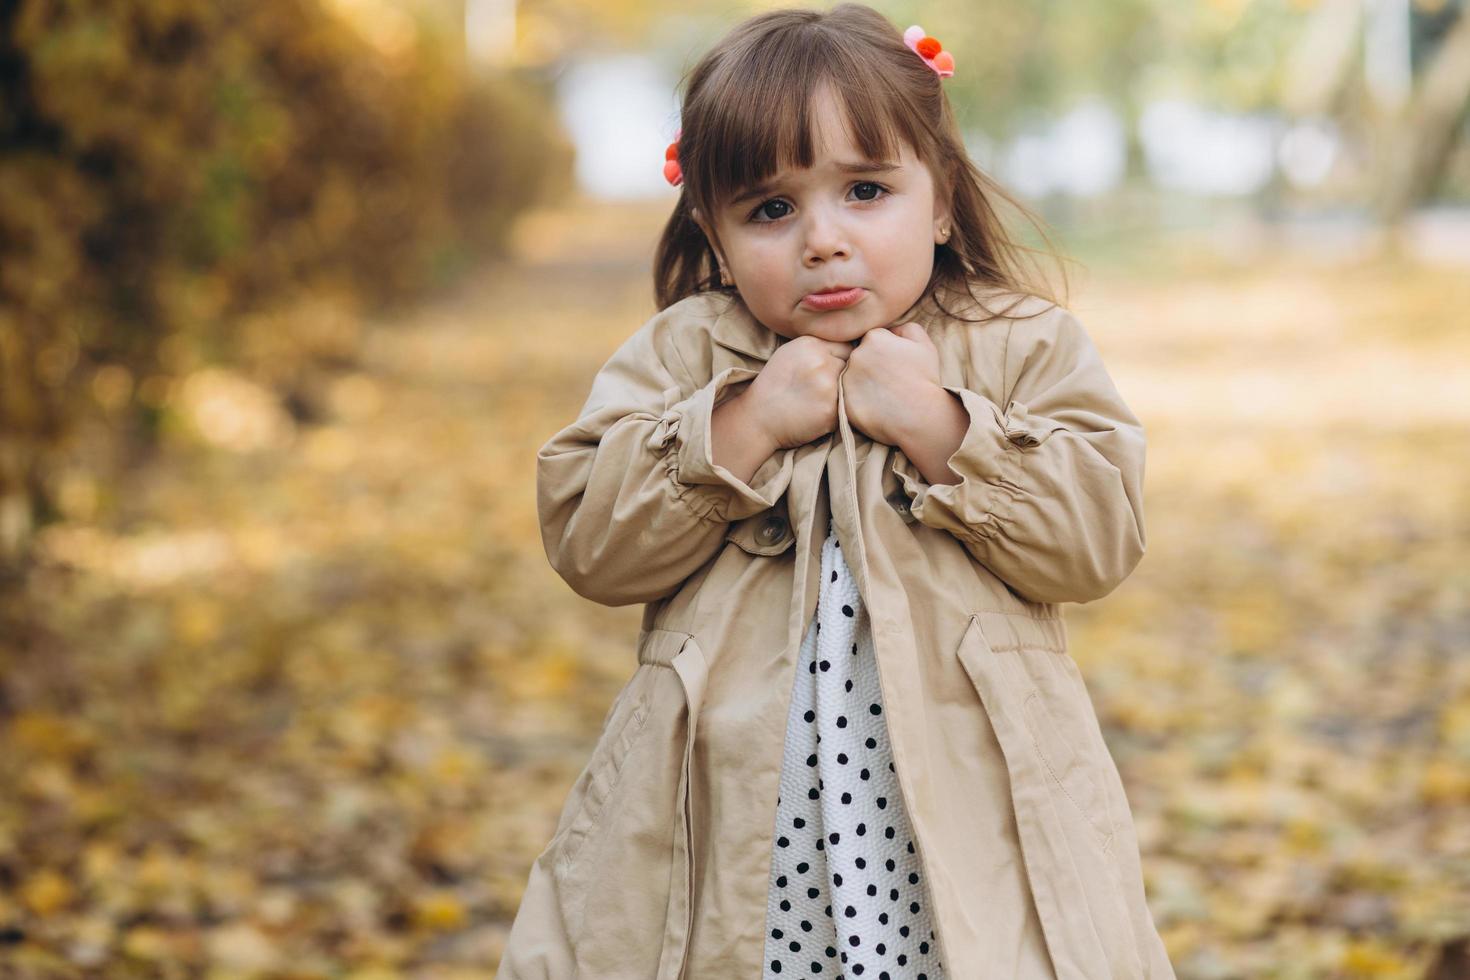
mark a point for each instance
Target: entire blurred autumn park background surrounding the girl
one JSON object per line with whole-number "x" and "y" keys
{"x": 292, "y": 292}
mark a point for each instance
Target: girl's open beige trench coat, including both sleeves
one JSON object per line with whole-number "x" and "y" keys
{"x": 661, "y": 860}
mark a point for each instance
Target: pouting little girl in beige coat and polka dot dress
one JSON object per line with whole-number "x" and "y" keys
{"x": 852, "y": 497}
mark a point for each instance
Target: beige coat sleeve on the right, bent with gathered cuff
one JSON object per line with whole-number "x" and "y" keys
{"x": 1050, "y": 496}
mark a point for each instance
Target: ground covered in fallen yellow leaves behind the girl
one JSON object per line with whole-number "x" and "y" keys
{"x": 305, "y": 700}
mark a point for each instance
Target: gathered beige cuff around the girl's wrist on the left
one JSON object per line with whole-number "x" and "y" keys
{"x": 683, "y": 437}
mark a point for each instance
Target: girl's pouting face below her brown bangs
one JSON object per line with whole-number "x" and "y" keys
{"x": 847, "y": 223}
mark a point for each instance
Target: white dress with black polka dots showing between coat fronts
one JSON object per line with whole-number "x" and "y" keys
{"x": 846, "y": 896}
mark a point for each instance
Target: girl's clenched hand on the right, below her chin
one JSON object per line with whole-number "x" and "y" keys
{"x": 893, "y": 386}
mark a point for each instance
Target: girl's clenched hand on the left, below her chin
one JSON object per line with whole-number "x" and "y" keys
{"x": 793, "y": 399}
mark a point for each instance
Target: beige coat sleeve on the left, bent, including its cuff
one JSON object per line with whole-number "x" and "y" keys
{"x": 630, "y": 499}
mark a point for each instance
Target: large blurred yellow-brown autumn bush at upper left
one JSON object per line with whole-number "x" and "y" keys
{"x": 170, "y": 165}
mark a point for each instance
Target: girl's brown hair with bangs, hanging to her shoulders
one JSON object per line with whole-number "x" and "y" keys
{"x": 746, "y": 114}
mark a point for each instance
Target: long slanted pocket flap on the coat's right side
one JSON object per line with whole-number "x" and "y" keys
{"x": 1061, "y": 809}
